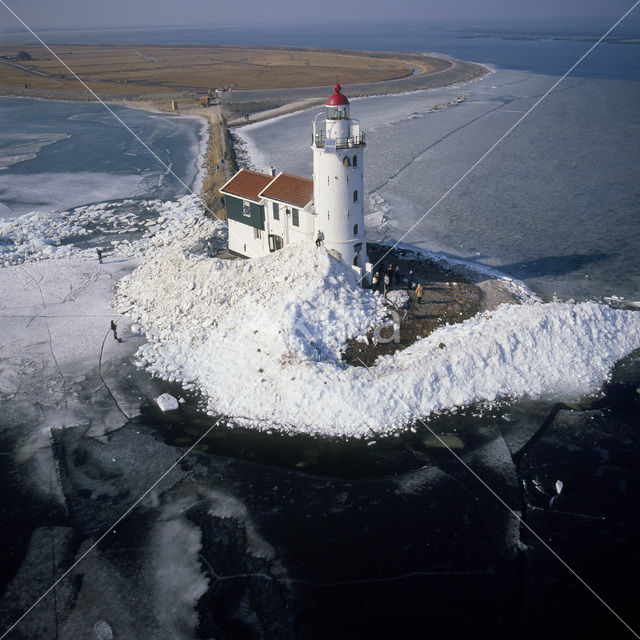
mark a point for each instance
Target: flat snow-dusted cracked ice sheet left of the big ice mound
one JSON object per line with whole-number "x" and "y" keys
{"x": 55, "y": 318}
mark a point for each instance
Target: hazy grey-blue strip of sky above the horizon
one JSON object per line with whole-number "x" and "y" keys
{"x": 72, "y": 14}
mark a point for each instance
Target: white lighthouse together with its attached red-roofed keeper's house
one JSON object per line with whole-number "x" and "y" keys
{"x": 266, "y": 212}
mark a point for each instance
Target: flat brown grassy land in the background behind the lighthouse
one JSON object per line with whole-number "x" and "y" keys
{"x": 142, "y": 71}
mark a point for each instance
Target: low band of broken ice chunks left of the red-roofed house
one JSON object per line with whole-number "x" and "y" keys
{"x": 150, "y": 224}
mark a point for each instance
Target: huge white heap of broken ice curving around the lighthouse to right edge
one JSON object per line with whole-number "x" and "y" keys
{"x": 261, "y": 339}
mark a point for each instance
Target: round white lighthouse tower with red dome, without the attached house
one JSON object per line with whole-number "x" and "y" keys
{"x": 338, "y": 189}
